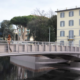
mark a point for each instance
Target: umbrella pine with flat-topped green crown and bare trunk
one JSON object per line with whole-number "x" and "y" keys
{"x": 22, "y": 21}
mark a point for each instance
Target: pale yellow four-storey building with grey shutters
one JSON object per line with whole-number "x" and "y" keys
{"x": 68, "y": 26}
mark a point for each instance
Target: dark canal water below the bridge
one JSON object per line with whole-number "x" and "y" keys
{"x": 9, "y": 71}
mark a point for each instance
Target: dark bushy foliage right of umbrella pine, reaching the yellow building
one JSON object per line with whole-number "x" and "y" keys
{"x": 39, "y": 28}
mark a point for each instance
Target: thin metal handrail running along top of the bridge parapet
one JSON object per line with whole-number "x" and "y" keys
{"x": 40, "y": 42}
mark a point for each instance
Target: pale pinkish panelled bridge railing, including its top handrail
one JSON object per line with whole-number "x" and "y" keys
{"x": 36, "y": 46}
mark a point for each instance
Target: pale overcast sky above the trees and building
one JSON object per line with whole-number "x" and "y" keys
{"x": 11, "y": 8}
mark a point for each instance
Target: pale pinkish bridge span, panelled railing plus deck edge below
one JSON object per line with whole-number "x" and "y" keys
{"x": 33, "y": 48}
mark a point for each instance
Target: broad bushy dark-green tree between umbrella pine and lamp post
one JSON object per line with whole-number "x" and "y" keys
{"x": 39, "y": 28}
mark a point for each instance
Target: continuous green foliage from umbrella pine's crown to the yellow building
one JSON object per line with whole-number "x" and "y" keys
{"x": 38, "y": 25}
